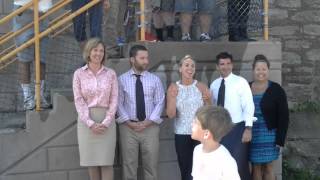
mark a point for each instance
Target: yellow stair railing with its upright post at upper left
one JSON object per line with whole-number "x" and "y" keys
{"x": 7, "y": 55}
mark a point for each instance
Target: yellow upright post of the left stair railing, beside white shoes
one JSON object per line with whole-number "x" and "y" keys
{"x": 37, "y": 52}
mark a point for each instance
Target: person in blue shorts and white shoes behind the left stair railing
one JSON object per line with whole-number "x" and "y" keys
{"x": 27, "y": 55}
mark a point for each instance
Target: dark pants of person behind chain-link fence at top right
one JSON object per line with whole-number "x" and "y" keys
{"x": 237, "y": 19}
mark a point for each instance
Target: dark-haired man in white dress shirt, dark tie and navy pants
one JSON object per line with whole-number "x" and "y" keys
{"x": 233, "y": 93}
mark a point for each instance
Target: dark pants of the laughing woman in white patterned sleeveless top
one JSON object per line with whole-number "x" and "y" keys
{"x": 184, "y": 148}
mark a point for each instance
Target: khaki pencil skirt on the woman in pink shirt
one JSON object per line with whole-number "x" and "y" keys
{"x": 96, "y": 150}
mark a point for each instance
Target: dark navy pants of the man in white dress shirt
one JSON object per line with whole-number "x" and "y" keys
{"x": 238, "y": 150}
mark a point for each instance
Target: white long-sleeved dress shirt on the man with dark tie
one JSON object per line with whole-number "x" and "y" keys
{"x": 238, "y": 98}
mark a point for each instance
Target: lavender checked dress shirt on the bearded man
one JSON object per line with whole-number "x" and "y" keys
{"x": 153, "y": 96}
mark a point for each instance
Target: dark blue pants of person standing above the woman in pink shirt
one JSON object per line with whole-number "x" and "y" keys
{"x": 79, "y": 22}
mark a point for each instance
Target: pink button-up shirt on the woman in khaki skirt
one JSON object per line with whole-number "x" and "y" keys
{"x": 100, "y": 90}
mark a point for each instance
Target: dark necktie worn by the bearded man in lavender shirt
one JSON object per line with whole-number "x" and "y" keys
{"x": 140, "y": 104}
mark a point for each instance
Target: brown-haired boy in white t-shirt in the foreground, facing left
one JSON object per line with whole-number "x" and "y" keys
{"x": 211, "y": 160}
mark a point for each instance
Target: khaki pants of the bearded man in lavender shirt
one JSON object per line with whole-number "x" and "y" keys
{"x": 147, "y": 142}
